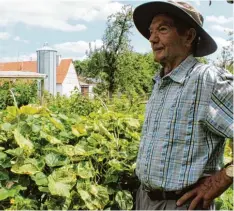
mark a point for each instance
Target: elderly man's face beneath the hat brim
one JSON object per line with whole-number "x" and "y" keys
{"x": 166, "y": 43}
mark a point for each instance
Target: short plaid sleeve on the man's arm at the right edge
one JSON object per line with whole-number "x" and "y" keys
{"x": 219, "y": 117}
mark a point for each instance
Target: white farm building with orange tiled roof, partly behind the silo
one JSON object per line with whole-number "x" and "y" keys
{"x": 66, "y": 76}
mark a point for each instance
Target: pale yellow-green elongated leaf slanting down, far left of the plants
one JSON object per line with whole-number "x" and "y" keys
{"x": 23, "y": 143}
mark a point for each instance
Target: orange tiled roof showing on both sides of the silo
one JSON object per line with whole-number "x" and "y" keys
{"x": 31, "y": 66}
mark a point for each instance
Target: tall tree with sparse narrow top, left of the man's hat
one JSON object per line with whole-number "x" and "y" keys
{"x": 103, "y": 62}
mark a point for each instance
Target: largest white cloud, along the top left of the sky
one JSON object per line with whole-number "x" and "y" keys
{"x": 63, "y": 15}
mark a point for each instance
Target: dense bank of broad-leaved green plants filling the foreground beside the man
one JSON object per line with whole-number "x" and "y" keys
{"x": 51, "y": 161}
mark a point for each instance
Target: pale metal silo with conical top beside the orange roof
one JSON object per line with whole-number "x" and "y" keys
{"x": 46, "y": 63}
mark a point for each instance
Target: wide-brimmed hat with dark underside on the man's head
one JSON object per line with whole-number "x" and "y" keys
{"x": 144, "y": 14}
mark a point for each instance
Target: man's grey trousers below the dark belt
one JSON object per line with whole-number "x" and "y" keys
{"x": 144, "y": 202}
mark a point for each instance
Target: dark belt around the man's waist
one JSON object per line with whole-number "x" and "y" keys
{"x": 158, "y": 194}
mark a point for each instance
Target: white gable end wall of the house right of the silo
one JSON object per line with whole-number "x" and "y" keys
{"x": 70, "y": 81}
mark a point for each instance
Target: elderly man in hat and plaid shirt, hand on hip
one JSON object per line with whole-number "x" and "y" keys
{"x": 188, "y": 115}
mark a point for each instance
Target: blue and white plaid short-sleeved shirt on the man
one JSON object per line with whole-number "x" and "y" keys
{"x": 188, "y": 117}
